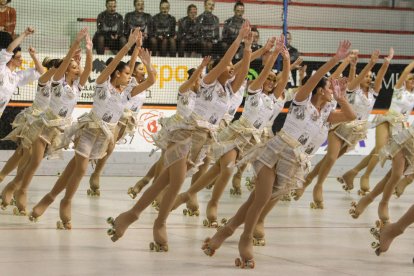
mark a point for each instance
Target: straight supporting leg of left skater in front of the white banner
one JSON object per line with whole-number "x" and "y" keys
{"x": 65, "y": 210}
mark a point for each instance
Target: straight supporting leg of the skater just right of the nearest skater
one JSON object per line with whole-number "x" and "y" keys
{"x": 334, "y": 150}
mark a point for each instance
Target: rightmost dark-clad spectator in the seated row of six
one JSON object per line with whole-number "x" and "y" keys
{"x": 232, "y": 26}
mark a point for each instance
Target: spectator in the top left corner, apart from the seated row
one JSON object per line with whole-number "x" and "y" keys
{"x": 7, "y": 23}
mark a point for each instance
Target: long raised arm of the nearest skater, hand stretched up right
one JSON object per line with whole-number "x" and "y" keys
{"x": 306, "y": 89}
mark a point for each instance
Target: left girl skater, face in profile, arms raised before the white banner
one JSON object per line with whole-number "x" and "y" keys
{"x": 95, "y": 130}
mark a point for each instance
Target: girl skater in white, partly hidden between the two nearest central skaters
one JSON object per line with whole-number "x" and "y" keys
{"x": 239, "y": 137}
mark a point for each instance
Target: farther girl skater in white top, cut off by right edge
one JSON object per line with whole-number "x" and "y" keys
{"x": 387, "y": 125}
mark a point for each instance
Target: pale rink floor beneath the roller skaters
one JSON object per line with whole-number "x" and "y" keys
{"x": 299, "y": 241}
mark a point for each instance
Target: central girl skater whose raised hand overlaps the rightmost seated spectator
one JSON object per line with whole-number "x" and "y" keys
{"x": 187, "y": 147}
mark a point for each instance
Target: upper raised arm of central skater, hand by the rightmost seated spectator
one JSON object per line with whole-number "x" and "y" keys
{"x": 226, "y": 59}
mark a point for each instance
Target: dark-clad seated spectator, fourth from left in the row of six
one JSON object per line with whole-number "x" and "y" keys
{"x": 187, "y": 35}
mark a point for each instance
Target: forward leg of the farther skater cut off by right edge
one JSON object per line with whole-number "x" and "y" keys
{"x": 381, "y": 138}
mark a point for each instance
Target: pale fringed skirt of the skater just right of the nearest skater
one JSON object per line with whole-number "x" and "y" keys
{"x": 351, "y": 132}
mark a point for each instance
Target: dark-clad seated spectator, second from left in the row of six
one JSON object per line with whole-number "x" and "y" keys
{"x": 139, "y": 18}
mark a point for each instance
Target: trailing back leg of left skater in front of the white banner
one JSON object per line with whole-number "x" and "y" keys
{"x": 59, "y": 186}
